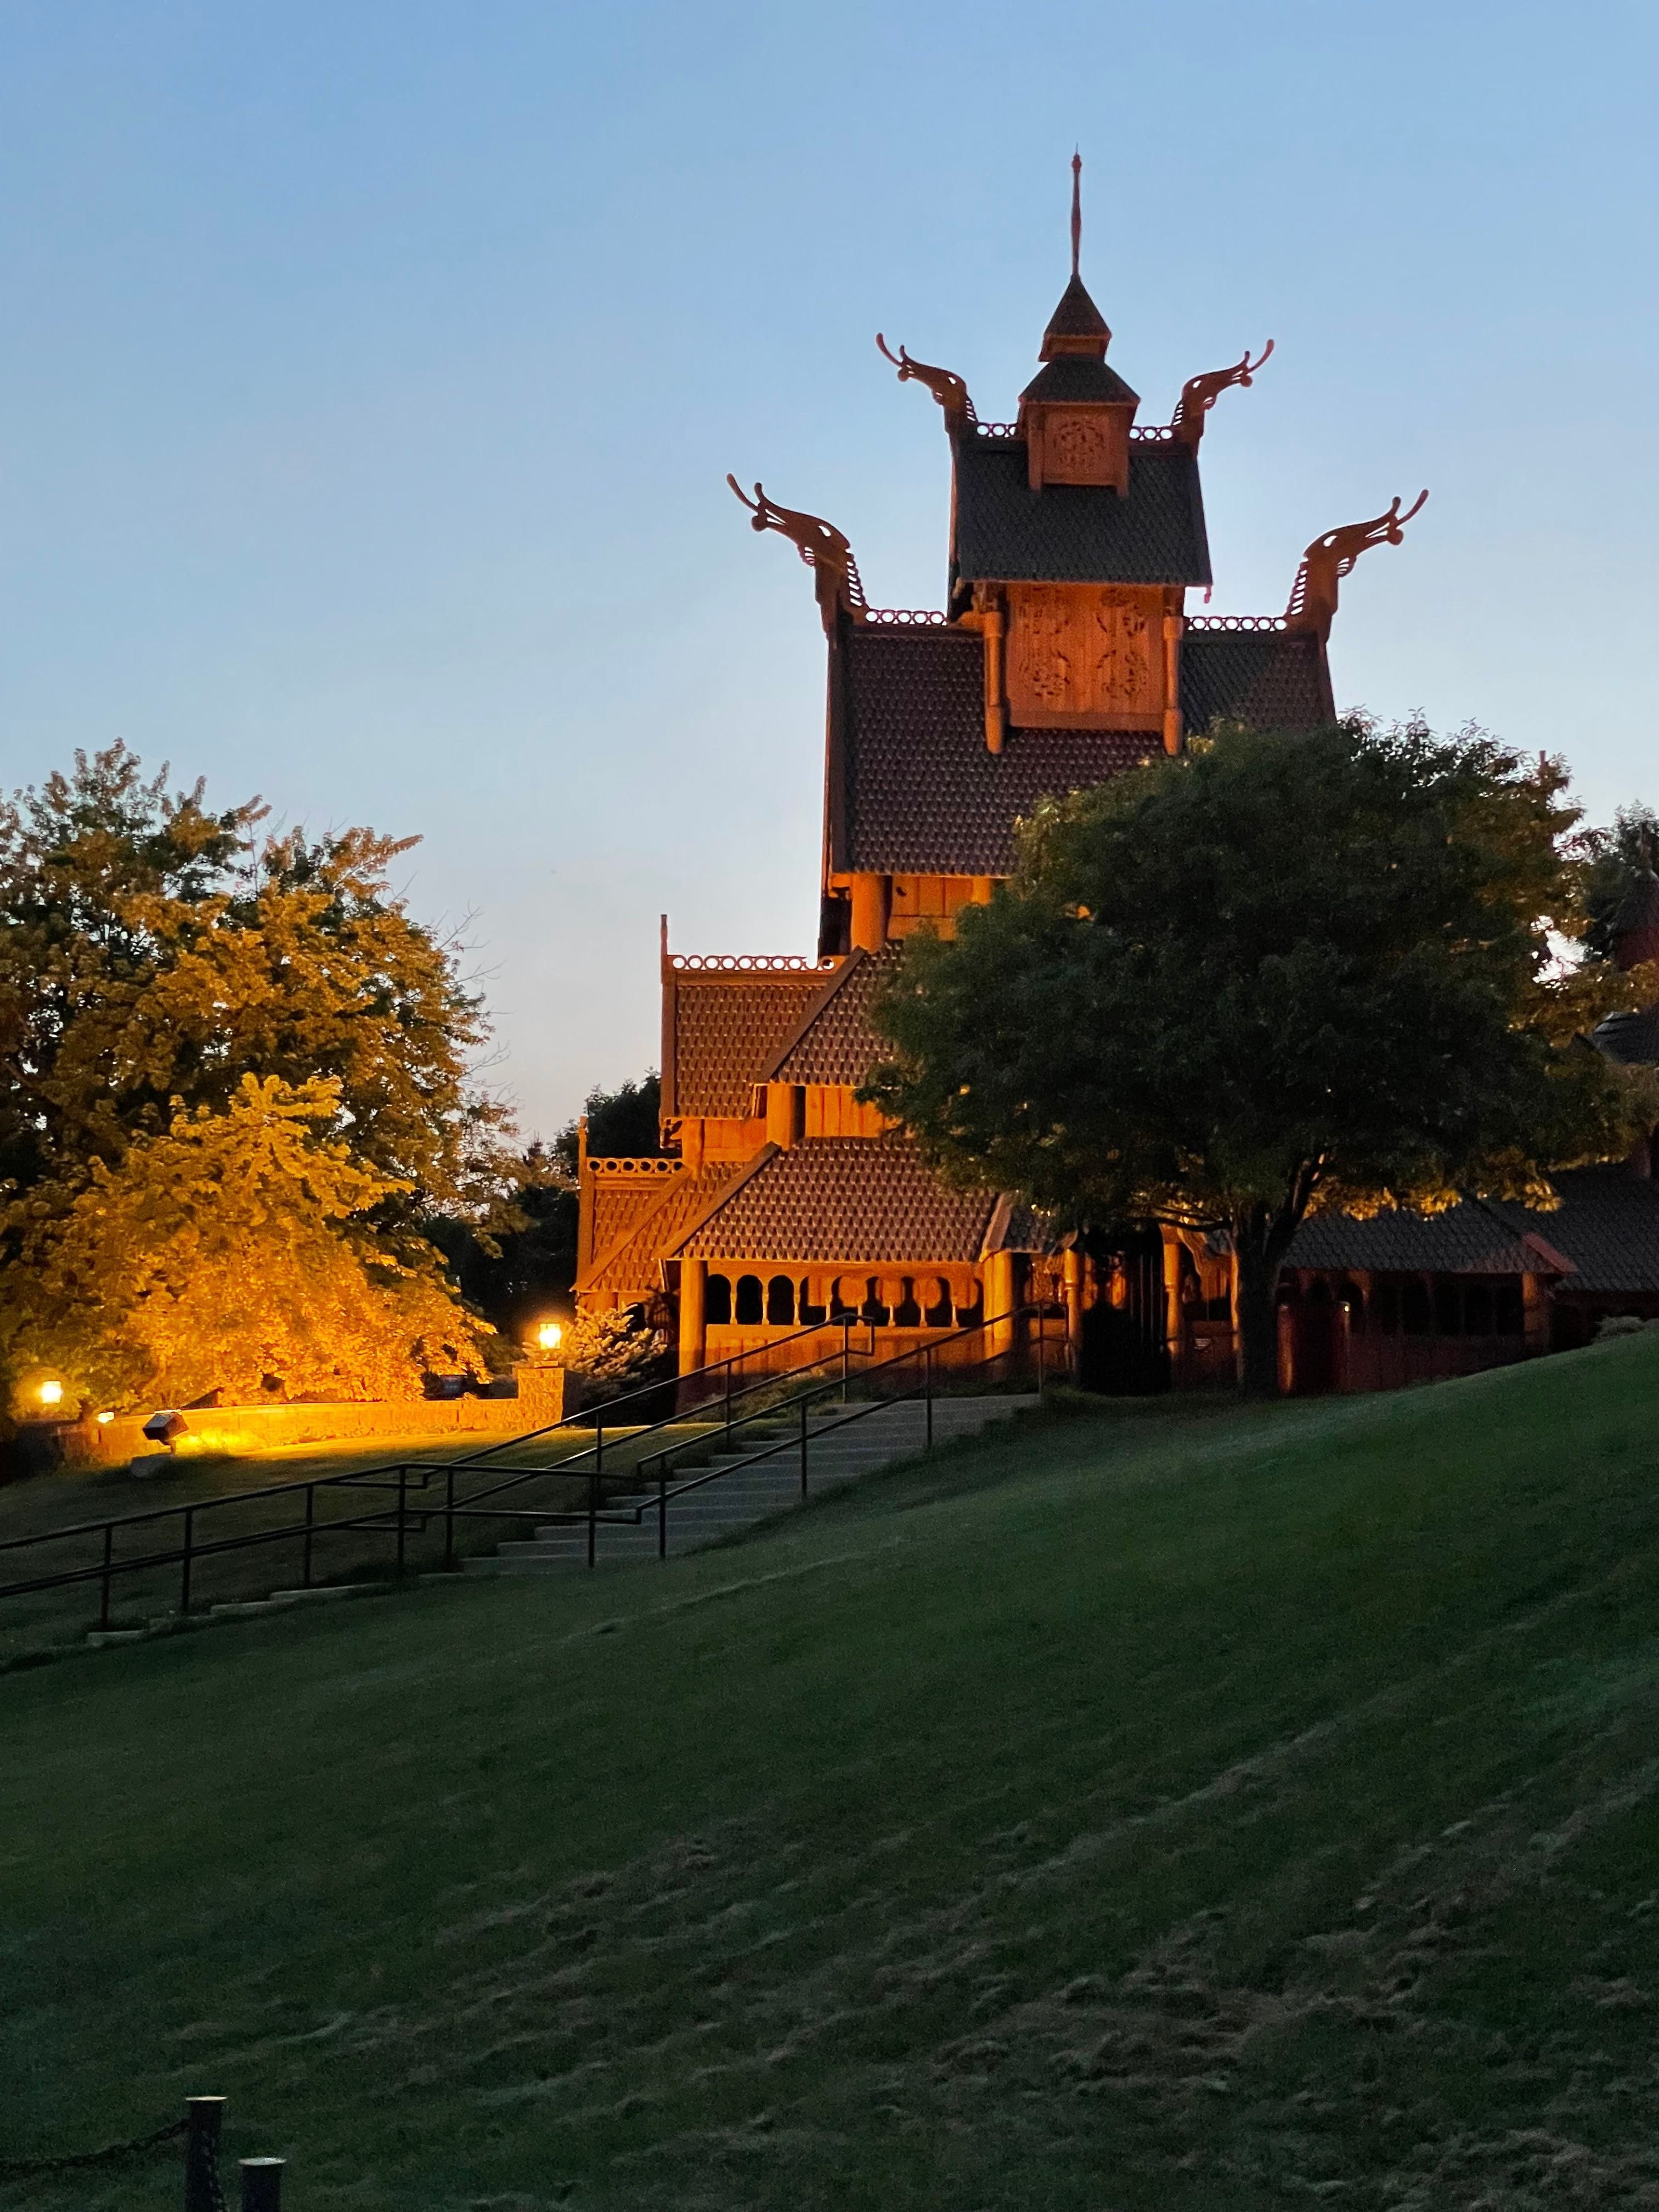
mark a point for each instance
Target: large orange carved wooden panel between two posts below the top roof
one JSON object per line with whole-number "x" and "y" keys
{"x": 1085, "y": 656}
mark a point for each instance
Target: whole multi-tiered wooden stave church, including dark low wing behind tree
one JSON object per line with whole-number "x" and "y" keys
{"x": 1067, "y": 651}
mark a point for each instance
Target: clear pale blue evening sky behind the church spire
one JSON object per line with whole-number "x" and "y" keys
{"x": 371, "y": 373}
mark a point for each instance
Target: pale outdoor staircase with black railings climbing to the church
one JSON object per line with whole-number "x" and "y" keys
{"x": 760, "y": 1483}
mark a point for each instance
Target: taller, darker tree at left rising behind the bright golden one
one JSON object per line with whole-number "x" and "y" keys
{"x": 154, "y": 950}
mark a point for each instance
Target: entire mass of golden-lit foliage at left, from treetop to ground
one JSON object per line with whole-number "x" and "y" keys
{"x": 156, "y": 961}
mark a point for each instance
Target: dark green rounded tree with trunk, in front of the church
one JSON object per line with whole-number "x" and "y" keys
{"x": 1277, "y": 974}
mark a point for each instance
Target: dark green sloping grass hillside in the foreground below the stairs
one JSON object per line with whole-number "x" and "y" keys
{"x": 1156, "y": 1808}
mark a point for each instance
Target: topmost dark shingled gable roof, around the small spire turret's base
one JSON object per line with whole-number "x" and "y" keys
{"x": 1078, "y": 534}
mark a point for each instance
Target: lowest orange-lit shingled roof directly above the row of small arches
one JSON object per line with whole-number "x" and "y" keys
{"x": 842, "y": 1200}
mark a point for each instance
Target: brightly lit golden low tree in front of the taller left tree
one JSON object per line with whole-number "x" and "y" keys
{"x": 233, "y": 1253}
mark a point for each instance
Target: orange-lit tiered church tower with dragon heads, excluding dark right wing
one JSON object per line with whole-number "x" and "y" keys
{"x": 1065, "y": 654}
